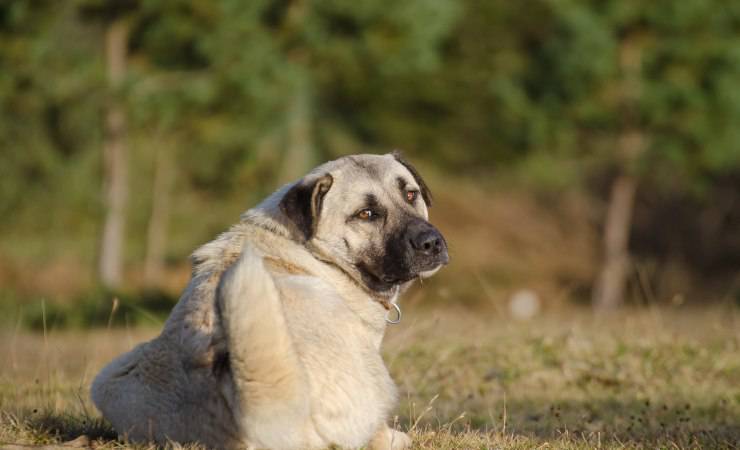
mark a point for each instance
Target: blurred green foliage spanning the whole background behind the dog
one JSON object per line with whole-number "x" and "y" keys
{"x": 475, "y": 85}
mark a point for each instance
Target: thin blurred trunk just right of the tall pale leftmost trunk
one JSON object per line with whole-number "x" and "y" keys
{"x": 156, "y": 239}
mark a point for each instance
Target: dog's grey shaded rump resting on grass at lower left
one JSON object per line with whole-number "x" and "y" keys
{"x": 149, "y": 395}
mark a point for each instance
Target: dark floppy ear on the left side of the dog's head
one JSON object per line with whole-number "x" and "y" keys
{"x": 302, "y": 203}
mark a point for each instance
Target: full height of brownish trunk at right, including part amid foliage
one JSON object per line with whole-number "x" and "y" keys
{"x": 610, "y": 285}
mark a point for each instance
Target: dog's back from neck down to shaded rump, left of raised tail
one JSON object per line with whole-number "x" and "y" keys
{"x": 177, "y": 386}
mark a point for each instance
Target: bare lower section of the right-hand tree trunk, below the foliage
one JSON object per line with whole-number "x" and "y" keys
{"x": 609, "y": 291}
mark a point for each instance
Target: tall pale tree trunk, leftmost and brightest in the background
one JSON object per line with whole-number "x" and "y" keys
{"x": 115, "y": 158}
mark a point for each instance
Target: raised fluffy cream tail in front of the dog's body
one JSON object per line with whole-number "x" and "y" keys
{"x": 270, "y": 382}
